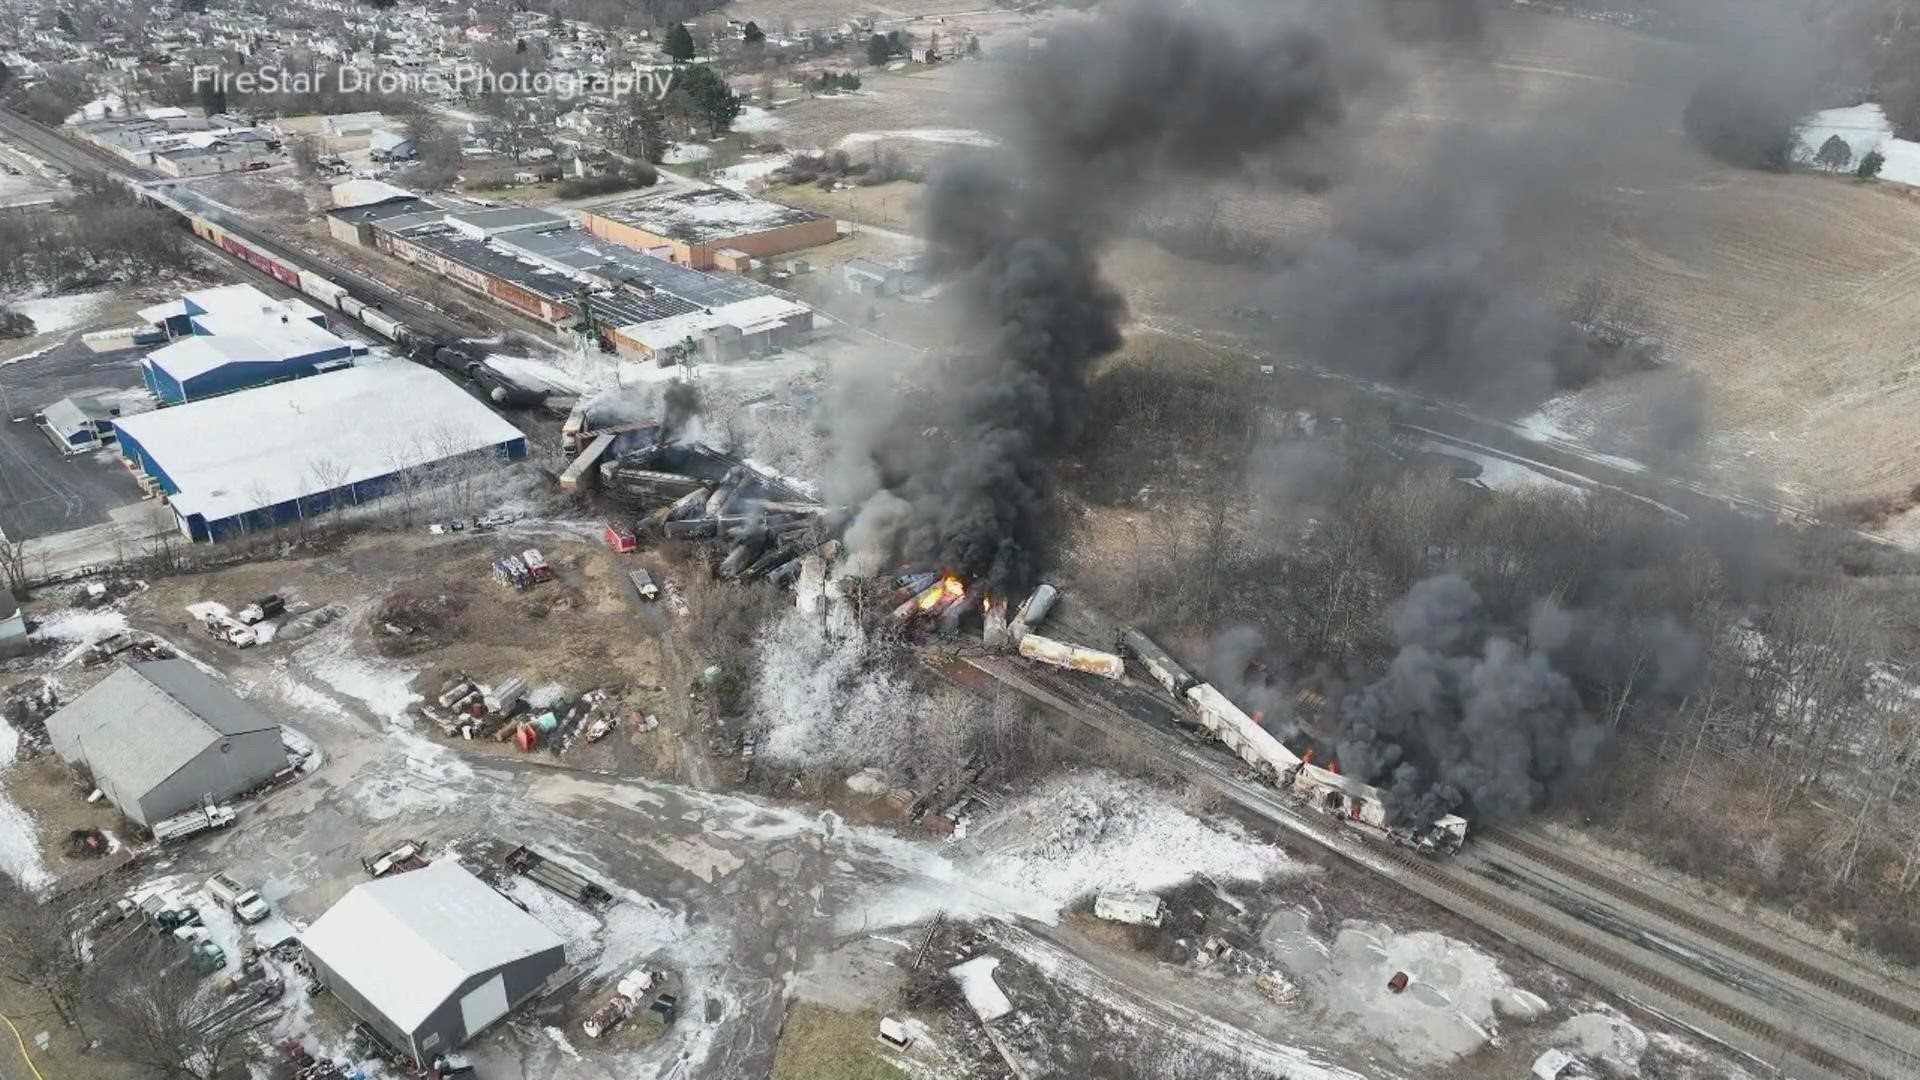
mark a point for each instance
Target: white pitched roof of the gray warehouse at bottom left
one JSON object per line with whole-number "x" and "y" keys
{"x": 408, "y": 943}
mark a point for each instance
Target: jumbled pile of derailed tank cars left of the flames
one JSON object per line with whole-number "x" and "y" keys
{"x": 761, "y": 526}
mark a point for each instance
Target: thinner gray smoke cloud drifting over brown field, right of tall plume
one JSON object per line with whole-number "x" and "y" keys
{"x": 1422, "y": 282}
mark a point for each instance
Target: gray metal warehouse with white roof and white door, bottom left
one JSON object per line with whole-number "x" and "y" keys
{"x": 431, "y": 958}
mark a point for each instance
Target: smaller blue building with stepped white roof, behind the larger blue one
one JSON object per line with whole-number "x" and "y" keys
{"x": 235, "y": 337}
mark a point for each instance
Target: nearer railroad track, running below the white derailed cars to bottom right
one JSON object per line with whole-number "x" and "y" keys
{"x": 1053, "y": 689}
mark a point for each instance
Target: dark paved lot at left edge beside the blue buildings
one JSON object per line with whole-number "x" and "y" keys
{"x": 41, "y": 489}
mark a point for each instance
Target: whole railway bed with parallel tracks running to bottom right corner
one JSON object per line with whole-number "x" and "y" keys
{"x": 1754, "y": 998}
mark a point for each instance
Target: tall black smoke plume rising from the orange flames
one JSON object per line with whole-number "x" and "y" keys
{"x": 1140, "y": 95}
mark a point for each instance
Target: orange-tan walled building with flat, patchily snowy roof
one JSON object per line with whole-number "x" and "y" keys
{"x": 709, "y": 228}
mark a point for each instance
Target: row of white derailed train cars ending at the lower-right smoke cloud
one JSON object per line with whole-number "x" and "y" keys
{"x": 1324, "y": 791}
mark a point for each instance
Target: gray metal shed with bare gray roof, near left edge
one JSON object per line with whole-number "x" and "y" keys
{"x": 164, "y": 737}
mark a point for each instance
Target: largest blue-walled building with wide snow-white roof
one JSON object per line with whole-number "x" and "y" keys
{"x": 276, "y": 454}
